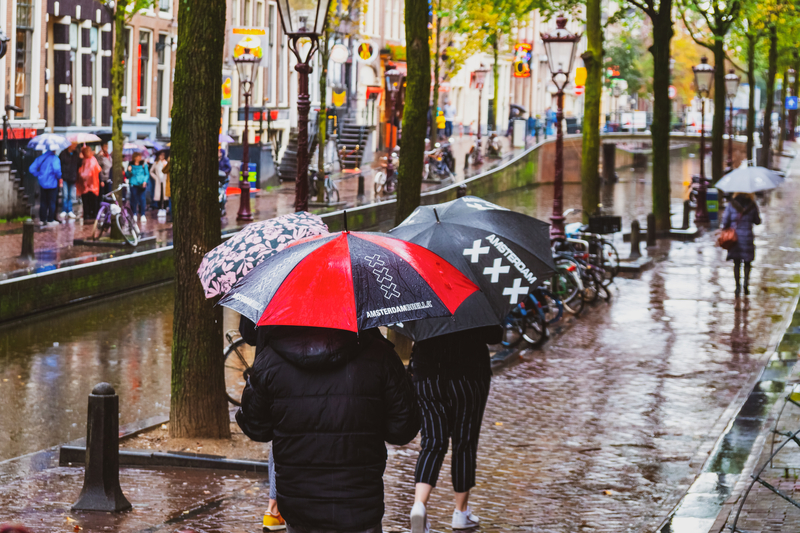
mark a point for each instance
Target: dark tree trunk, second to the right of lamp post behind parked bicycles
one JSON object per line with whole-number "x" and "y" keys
{"x": 662, "y": 35}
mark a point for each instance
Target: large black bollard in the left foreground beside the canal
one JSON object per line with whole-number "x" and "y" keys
{"x": 101, "y": 490}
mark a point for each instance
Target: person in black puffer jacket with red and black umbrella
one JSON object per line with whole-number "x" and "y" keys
{"x": 328, "y": 370}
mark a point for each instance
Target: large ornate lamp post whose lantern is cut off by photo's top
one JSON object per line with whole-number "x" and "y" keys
{"x": 303, "y": 20}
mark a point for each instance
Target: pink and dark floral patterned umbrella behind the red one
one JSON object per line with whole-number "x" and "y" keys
{"x": 226, "y": 264}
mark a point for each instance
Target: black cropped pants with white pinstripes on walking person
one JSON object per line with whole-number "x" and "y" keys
{"x": 451, "y": 408}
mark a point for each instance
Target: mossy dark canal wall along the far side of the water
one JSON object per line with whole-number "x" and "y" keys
{"x": 26, "y": 295}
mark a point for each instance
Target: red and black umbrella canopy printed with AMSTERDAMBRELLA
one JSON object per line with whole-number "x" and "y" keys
{"x": 349, "y": 281}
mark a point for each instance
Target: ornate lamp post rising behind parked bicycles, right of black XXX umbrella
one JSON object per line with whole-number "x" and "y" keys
{"x": 560, "y": 47}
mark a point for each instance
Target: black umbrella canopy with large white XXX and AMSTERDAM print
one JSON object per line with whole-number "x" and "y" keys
{"x": 505, "y": 253}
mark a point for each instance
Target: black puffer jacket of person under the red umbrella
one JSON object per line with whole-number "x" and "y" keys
{"x": 328, "y": 400}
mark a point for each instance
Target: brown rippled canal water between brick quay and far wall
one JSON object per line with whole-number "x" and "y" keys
{"x": 50, "y": 362}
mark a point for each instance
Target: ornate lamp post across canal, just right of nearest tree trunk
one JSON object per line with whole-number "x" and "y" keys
{"x": 247, "y": 57}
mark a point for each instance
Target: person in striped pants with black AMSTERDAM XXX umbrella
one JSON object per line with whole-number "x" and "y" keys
{"x": 506, "y": 254}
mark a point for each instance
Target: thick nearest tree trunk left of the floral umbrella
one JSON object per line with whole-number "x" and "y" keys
{"x": 198, "y": 408}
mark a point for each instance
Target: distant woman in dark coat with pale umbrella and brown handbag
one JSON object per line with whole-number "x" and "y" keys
{"x": 740, "y": 215}
